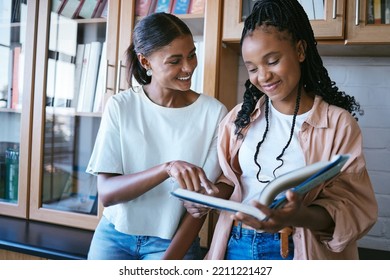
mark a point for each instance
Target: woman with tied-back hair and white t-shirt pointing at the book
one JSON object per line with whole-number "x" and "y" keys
{"x": 154, "y": 138}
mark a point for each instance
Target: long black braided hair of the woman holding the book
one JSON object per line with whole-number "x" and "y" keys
{"x": 289, "y": 16}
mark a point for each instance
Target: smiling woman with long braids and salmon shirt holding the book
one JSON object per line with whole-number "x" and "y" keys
{"x": 292, "y": 115}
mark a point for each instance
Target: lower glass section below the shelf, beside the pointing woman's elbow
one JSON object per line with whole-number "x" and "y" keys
{"x": 68, "y": 146}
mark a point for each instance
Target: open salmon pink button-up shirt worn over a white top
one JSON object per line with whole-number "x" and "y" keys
{"x": 349, "y": 199}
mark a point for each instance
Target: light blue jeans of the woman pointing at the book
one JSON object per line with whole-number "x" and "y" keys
{"x": 110, "y": 244}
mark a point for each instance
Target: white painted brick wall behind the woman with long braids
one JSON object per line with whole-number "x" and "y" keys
{"x": 368, "y": 79}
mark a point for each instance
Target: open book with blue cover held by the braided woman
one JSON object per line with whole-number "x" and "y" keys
{"x": 300, "y": 181}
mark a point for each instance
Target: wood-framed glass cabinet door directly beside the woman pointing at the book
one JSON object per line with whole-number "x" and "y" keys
{"x": 70, "y": 91}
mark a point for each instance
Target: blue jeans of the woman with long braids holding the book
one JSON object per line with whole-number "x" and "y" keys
{"x": 247, "y": 244}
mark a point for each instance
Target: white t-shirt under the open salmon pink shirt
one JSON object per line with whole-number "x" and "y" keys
{"x": 276, "y": 139}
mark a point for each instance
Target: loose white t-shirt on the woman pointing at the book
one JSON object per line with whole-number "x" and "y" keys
{"x": 136, "y": 134}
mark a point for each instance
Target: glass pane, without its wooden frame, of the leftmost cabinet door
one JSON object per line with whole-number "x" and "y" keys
{"x": 13, "y": 15}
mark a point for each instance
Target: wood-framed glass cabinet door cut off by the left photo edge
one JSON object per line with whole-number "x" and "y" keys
{"x": 17, "y": 29}
